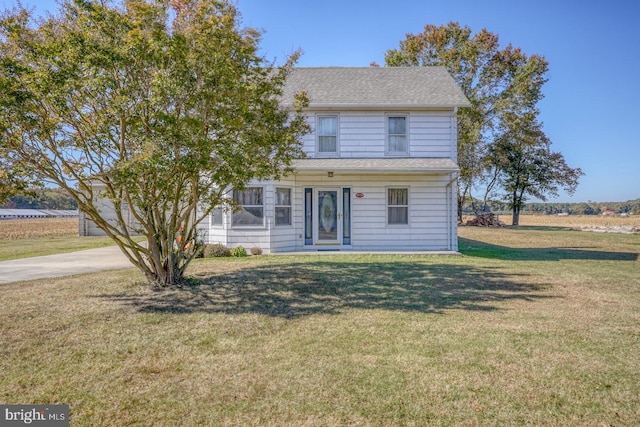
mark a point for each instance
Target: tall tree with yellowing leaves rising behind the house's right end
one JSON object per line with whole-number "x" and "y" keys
{"x": 495, "y": 80}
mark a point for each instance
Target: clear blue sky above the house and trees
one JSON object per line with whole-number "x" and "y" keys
{"x": 591, "y": 110}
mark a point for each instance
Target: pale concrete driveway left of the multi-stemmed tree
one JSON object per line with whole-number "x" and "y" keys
{"x": 87, "y": 261}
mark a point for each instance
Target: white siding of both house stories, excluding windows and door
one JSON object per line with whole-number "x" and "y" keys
{"x": 362, "y": 134}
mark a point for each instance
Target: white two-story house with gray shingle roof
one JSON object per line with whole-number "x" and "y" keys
{"x": 380, "y": 171}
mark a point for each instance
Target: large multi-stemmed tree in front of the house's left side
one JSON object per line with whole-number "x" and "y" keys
{"x": 159, "y": 107}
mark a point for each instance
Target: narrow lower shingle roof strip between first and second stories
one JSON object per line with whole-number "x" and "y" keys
{"x": 379, "y": 165}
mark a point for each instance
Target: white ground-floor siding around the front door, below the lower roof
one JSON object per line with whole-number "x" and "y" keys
{"x": 430, "y": 215}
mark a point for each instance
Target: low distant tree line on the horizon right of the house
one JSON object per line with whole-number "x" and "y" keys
{"x": 631, "y": 207}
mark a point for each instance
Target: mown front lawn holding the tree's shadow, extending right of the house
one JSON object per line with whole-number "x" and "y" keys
{"x": 532, "y": 326}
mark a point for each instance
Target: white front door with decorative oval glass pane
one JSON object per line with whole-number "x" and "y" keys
{"x": 328, "y": 217}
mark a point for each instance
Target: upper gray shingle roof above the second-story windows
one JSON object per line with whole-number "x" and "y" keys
{"x": 375, "y": 87}
